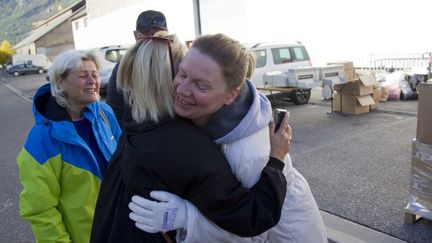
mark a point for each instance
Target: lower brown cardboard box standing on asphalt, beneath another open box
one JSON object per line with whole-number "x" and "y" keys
{"x": 356, "y": 104}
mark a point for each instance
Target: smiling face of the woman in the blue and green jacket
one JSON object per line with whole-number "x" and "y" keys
{"x": 81, "y": 87}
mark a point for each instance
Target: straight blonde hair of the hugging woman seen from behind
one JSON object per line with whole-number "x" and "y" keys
{"x": 145, "y": 77}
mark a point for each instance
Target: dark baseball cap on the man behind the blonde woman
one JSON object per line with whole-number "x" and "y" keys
{"x": 151, "y": 19}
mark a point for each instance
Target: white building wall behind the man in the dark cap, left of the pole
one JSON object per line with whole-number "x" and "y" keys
{"x": 112, "y": 22}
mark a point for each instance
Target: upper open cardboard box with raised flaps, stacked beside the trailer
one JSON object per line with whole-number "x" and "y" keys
{"x": 359, "y": 87}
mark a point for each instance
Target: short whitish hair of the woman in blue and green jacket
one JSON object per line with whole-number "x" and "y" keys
{"x": 65, "y": 63}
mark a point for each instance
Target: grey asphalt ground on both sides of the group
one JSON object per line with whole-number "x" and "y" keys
{"x": 358, "y": 167}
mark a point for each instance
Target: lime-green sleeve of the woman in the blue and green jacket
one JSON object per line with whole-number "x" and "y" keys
{"x": 40, "y": 196}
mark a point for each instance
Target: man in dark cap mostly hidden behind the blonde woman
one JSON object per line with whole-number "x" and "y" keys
{"x": 148, "y": 23}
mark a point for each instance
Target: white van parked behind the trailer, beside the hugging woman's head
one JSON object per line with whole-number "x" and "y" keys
{"x": 280, "y": 56}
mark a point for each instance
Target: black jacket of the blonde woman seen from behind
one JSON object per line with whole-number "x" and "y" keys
{"x": 175, "y": 156}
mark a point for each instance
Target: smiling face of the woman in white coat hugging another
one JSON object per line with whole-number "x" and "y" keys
{"x": 200, "y": 88}
